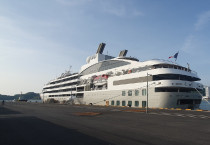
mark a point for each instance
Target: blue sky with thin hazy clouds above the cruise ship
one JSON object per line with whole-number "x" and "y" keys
{"x": 40, "y": 39}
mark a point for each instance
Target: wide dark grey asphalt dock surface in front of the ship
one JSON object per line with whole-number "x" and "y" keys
{"x": 53, "y": 124}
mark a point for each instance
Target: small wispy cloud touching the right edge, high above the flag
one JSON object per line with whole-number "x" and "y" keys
{"x": 203, "y": 19}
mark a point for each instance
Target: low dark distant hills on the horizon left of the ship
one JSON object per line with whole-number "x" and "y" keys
{"x": 27, "y": 96}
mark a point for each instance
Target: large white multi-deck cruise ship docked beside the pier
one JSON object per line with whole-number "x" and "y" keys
{"x": 126, "y": 81}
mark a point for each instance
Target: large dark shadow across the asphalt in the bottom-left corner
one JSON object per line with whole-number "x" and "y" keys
{"x": 34, "y": 131}
